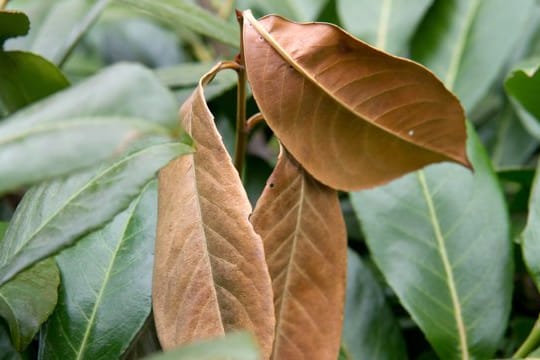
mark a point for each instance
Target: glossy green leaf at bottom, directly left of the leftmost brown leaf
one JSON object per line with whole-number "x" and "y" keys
{"x": 106, "y": 289}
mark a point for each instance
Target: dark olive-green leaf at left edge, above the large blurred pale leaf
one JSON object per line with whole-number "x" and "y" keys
{"x": 26, "y": 78}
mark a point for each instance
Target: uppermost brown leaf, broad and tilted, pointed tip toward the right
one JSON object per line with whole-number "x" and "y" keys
{"x": 352, "y": 115}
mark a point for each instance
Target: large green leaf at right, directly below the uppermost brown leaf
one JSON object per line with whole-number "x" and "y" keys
{"x": 434, "y": 235}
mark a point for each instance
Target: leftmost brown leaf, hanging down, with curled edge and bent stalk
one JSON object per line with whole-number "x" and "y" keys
{"x": 210, "y": 276}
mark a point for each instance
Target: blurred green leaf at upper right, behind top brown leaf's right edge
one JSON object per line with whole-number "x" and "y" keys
{"x": 455, "y": 42}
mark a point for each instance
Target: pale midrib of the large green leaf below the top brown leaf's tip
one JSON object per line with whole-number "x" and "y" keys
{"x": 441, "y": 246}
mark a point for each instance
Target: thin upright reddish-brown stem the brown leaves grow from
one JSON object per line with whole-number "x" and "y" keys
{"x": 241, "y": 129}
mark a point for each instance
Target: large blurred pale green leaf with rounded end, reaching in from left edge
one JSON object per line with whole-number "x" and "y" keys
{"x": 83, "y": 125}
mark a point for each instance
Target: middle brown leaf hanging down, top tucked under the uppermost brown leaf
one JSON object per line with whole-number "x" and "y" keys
{"x": 305, "y": 243}
